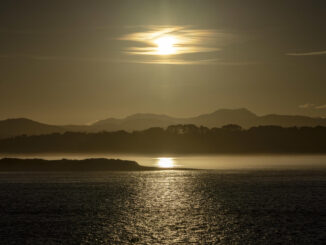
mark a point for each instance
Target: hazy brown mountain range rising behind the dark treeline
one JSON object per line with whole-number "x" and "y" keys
{"x": 242, "y": 117}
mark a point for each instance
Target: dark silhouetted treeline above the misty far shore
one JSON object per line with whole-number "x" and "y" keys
{"x": 178, "y": 139}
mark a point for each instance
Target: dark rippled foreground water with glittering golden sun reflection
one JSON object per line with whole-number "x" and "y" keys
{"x": 164, "y": 207}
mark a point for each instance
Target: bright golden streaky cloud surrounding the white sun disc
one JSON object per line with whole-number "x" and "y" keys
{"x": 186, "y": 40}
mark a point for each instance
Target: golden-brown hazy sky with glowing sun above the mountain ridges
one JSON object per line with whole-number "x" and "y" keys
{"x": 75, "y": 62}
